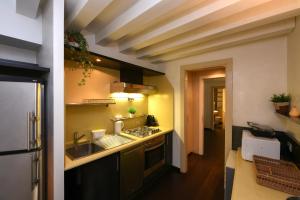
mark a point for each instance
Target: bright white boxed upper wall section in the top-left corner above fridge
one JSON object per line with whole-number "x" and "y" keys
{"x": 20, "y": 27}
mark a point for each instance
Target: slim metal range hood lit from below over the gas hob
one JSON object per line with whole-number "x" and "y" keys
{"x": 132, "y": 88}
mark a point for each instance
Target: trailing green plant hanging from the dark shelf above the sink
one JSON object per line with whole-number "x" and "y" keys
{"x": 78, "y": 52}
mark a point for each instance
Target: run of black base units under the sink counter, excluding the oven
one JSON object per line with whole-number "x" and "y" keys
{"x": 115, "y": 177}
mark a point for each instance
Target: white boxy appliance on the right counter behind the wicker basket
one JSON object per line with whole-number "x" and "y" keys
{"x": 261, "y": 146}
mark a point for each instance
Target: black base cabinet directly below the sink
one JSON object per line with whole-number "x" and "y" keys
{"x": 98, "y": 180}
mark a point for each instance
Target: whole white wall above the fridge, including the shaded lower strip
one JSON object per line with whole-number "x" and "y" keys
{"x": 20, "y": 36}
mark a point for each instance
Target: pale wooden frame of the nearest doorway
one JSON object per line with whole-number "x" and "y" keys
{"x": 227, "y": 64}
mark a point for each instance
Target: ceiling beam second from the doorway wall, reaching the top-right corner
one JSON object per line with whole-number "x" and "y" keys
{"x": 249, "y": 19}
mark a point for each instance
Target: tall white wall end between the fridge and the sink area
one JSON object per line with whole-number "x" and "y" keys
{"x": 51, "y": 55}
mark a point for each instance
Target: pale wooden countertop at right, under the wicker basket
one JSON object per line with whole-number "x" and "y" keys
{"x": 245, "y": 186}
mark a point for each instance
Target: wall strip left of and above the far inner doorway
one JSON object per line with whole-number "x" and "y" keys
{"x": 209, "y": 84}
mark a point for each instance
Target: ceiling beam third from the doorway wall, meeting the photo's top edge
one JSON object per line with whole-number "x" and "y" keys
{"x": 207, "y": 14}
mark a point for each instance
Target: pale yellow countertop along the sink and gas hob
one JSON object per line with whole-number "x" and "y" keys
{"x": 69, "y": 164}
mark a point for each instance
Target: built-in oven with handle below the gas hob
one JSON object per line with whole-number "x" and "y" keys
{"x": 154, "y": 155}
